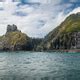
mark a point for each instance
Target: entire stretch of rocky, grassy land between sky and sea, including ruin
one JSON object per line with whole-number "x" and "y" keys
{"x": 65, "y": 36}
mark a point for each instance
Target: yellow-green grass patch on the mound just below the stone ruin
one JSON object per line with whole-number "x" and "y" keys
{"x": 16, "y": 38}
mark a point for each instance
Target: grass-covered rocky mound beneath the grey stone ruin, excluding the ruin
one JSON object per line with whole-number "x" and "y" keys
{"x": 13, "y": 40}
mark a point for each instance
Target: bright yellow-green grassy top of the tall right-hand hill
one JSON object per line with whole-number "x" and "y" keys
{"x": 71, "y": 24}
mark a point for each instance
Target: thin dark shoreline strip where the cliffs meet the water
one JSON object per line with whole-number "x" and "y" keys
{"x": 55, "y": 50}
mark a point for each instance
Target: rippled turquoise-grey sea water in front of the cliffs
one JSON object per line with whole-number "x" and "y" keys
{"x": 39, "y": 66}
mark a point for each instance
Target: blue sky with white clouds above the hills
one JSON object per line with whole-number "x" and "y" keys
{"x": 36, "y": 18}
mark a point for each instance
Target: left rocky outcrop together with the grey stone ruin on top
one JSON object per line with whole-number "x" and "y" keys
{"x": 14, "y": 39}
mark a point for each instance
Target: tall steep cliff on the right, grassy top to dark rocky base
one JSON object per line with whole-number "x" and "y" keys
{"x": 64, "y": 36}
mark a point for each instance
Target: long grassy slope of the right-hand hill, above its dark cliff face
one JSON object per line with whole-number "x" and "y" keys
{"x": 63, "y": 32}
